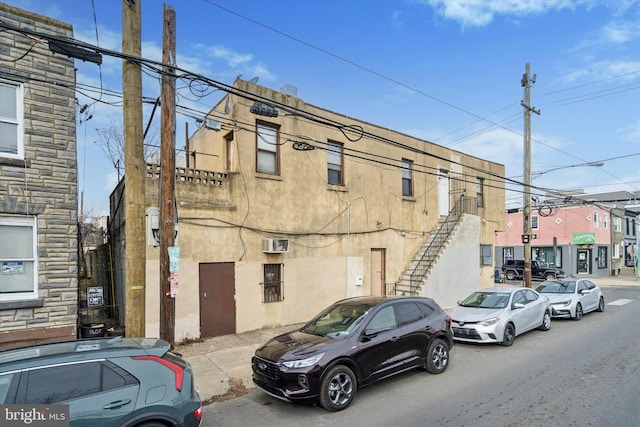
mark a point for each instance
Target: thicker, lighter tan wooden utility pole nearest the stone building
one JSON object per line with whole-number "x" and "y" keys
{"x": 134, "y": 173}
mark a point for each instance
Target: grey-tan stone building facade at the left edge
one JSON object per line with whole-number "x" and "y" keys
{"x": 38, "y": 184}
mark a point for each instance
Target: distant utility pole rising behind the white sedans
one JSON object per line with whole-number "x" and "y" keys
{"x": 526, "y": 224}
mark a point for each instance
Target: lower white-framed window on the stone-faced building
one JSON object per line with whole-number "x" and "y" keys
{"x": 18, "y": 262}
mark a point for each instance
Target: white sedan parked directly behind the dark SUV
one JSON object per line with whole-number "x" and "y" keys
{"x": 498, "y": 315}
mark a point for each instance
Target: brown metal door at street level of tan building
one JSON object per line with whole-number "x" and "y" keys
{"x": 217, "y": 299}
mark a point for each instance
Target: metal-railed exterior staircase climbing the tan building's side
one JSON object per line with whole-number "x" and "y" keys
{"x": 413, "y": 278}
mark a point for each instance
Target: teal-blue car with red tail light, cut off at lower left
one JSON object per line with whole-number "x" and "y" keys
{"x": 104, "y": 381}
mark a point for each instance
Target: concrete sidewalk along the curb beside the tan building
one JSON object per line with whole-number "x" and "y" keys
{"x": 219, "y": 363}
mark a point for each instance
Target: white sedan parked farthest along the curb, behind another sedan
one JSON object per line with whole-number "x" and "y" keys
{"x": 572, "y": 298}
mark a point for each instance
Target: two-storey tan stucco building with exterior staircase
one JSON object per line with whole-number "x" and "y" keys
{"x": 281, "y": 215}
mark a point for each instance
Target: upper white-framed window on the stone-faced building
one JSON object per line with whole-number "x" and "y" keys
{"x": 11, "y": 120}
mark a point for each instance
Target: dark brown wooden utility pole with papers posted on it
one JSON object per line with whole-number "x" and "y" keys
{"x": 168, "y": 277}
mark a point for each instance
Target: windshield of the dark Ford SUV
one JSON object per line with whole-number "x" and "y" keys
{"x": 338, "y": 320}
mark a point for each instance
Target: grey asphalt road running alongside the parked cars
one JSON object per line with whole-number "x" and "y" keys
{"x": 576, "y": 374}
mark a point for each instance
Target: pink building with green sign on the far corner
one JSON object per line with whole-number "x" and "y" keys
{"x": 582, "y": 239}
